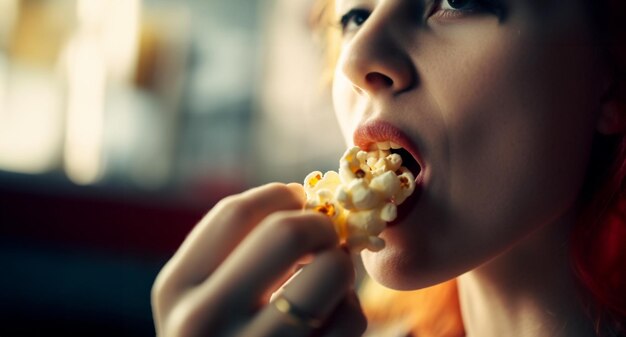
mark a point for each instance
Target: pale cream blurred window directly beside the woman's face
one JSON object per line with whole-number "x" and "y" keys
{"x": 296, "y": 131}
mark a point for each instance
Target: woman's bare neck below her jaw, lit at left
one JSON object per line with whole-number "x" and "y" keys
{"x": 527, "y": 291}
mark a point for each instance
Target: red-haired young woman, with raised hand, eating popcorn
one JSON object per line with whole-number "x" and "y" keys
{"x": 512, "y": 115}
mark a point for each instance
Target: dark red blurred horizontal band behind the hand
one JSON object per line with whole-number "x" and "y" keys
{"x": 113, "y": 221}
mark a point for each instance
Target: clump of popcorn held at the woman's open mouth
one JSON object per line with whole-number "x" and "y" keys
{"x": 363, "y": 196}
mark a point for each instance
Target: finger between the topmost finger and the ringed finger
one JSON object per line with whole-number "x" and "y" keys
{"x": 265, "y": 256}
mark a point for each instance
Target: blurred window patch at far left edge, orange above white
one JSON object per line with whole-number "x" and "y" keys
{"x": 31, "y": 114}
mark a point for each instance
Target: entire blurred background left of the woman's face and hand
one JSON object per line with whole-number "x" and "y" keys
{"x": 121, "y": 123}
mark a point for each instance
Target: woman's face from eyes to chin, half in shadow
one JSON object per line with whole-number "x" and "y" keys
{"x": 498, "y": 99}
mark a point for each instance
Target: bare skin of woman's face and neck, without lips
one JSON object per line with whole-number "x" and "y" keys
{"x": 503, "y": 109}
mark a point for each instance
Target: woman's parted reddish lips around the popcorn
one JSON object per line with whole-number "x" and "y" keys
{"x": 372, "y": 133}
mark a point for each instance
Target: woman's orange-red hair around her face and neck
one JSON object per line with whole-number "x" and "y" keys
{"x": 598, "y": 239}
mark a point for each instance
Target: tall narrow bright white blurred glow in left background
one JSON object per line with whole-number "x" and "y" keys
{"x": 102, "y": 51}
